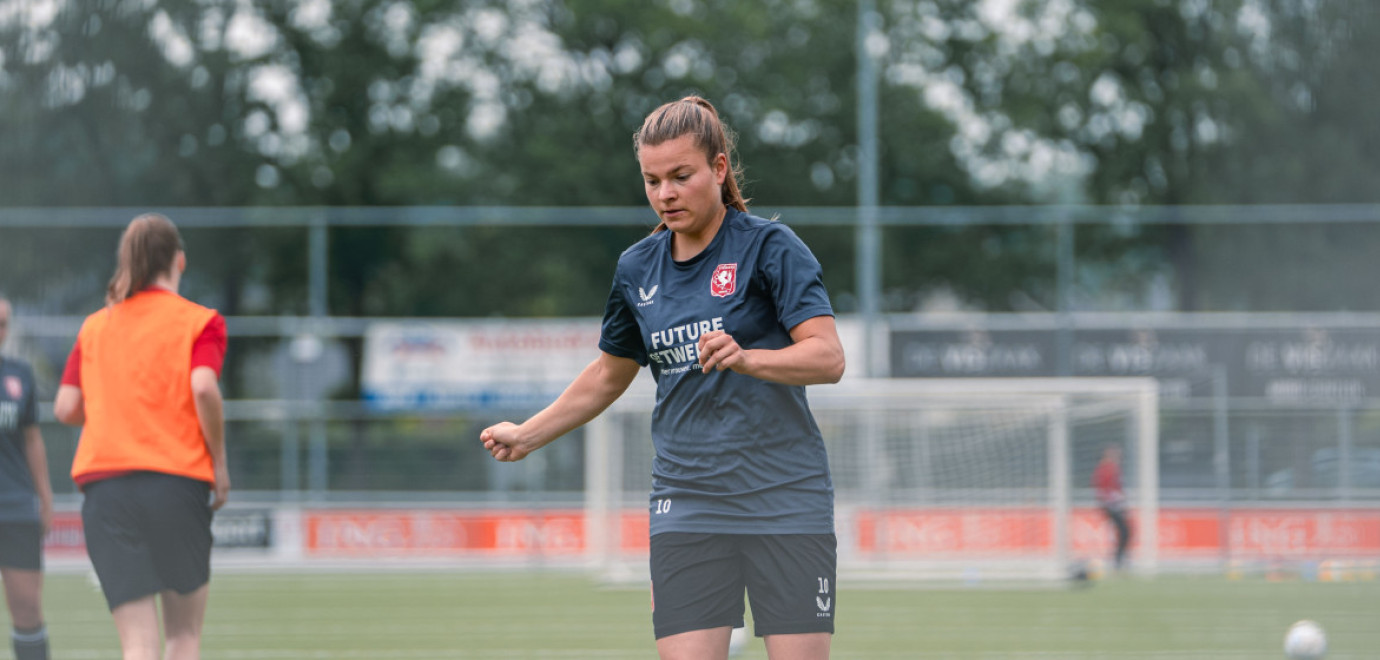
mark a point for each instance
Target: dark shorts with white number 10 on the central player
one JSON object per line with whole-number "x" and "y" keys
{"x": 699, "y": 582}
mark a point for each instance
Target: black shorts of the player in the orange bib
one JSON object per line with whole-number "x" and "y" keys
{"x": 148, "y": 532}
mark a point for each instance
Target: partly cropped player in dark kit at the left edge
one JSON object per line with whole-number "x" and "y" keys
{"x": 26, "y": 502}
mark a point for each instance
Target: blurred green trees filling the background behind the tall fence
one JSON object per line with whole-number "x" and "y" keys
{"x": 475, "y": 103}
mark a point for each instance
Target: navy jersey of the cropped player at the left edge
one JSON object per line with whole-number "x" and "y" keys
{"x": 19, "y": 412}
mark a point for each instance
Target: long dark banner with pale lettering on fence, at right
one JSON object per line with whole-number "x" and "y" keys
{"x": 1283, "y": 365}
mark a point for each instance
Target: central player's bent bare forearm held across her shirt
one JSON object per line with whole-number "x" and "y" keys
{"x": 814, "y": 358}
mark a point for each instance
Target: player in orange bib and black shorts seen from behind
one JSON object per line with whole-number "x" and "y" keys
{"x": 143, "y": 379}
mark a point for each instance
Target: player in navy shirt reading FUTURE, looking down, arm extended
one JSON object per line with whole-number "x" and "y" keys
{"x": 731, "y": 314}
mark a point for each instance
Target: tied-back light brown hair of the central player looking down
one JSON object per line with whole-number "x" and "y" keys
{"x": 695, "y": 117}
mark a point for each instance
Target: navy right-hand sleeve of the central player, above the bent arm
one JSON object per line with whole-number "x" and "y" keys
{"x": 794, "y": 277}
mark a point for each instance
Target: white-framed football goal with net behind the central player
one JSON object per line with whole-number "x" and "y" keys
{"x": 975, "y": 480}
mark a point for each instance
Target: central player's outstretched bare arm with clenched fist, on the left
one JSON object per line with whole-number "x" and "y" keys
{"x": 590, "y": 394}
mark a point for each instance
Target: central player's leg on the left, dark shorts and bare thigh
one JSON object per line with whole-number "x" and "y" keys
{"x": 698, "y": 594}
